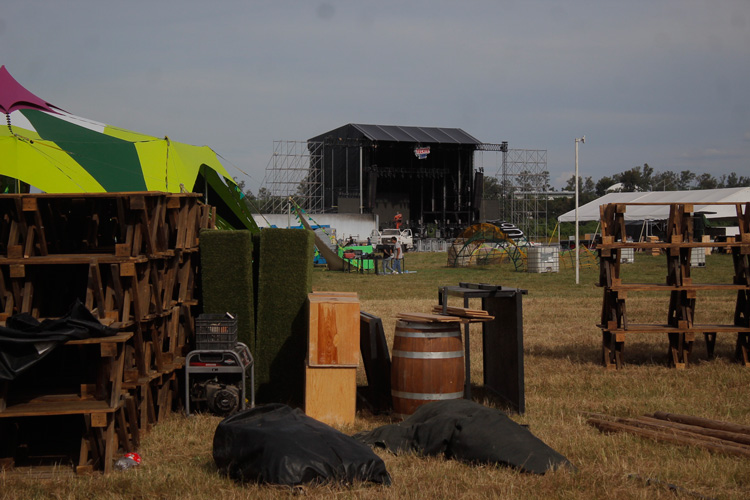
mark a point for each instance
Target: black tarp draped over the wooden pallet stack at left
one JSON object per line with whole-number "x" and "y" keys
{"x": 24, "y": 341}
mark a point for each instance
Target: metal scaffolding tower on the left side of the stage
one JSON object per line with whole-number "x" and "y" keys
{"x": 288, "y": 174}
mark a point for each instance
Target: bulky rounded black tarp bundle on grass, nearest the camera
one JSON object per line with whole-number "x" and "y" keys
{"x": 276, "y": 444}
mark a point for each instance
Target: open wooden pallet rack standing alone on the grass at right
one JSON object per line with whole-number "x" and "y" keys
{"x": 683, "y": 291}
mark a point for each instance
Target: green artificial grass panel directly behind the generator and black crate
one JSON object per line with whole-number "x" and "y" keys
{"x": 227, "y": 278}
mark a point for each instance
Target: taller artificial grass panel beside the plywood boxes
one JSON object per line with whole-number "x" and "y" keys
{"x": 284, "y": 280}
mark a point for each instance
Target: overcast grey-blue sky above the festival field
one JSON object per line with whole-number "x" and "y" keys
{"x": 646, "y": 81}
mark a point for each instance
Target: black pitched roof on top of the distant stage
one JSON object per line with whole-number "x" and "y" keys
{"x": 396, "y": 133}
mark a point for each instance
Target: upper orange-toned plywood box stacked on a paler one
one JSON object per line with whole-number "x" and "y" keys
{"x": 333, "y": 338}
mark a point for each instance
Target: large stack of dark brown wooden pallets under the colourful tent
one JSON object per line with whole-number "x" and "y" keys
{"x": 131, "y": 258}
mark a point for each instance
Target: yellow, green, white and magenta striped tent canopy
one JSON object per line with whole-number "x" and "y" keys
{"x": 57, "y": 152}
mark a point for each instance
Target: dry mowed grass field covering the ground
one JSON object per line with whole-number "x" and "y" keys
{"x": 564, "y": 378}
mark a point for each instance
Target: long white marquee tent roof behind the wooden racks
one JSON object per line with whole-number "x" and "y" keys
{"x": 590, "y": 211}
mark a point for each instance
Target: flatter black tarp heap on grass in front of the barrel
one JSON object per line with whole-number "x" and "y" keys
{"x": 467, "y": 431}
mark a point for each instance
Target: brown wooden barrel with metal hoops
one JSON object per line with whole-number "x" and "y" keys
{"x": 427, "y": 364}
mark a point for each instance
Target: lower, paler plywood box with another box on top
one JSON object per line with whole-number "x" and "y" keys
{"x": 331, "y": 394}
